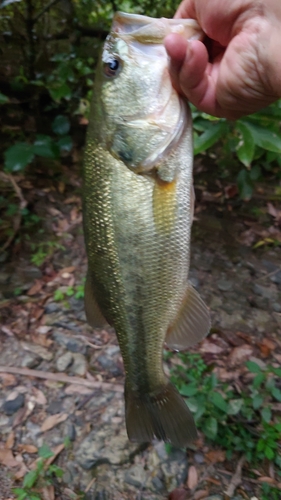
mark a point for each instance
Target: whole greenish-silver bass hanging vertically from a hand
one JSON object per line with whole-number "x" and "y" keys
{"x": 137, "y": 214}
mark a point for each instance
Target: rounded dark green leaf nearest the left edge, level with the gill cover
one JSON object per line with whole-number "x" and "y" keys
{"x": 18, "y": 156}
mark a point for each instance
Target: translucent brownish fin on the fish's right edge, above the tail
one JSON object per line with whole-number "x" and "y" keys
{"x": 192, "y": 323}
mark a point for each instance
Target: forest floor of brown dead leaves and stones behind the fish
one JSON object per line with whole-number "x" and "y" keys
{"x": 61, "y": 383}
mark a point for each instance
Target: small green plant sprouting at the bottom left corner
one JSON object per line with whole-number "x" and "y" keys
{"x": 39, "y": 477}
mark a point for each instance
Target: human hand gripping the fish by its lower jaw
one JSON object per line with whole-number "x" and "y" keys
{"x": 237, "y": 71}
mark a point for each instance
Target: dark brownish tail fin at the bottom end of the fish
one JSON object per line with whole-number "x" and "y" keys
{"x": 162, "y": 414}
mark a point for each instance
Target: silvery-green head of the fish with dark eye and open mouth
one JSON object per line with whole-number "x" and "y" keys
{"x": 142, "y": 115}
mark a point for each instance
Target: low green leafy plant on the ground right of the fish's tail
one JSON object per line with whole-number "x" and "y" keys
{"x": 235, "y": 421}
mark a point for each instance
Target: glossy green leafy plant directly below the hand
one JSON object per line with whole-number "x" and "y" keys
{"x": 253, "y": 143}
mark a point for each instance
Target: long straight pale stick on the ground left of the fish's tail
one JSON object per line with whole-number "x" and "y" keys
{"x": 60, "y": 377}
